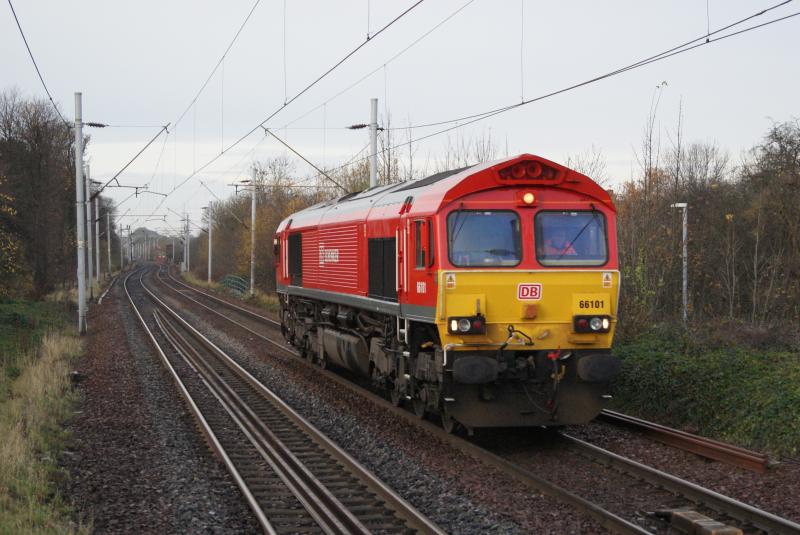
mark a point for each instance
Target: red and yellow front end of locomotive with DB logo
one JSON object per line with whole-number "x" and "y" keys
{"x": 527, "y": 296}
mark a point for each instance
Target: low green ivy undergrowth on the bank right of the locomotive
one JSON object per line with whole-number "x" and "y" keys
{"x": 734, "y": 393}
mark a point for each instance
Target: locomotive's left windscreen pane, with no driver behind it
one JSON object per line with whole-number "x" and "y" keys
{"x": 484, "y": 238}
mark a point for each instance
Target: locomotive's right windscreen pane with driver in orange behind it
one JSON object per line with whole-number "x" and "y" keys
{"x": 571, "y": 238}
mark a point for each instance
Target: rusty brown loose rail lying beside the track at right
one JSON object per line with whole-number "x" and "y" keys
{"x": 705, "y": 447}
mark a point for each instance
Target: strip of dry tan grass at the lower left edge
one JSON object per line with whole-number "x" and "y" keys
{"x": 39, "y": 400}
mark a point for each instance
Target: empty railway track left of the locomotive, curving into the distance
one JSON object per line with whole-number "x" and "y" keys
{"x": 292, "y": 476}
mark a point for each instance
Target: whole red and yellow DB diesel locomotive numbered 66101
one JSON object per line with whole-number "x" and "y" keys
{"x": 486, "y": 295}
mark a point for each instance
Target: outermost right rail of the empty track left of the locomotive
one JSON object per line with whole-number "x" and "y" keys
{"x": 405, "y": 511}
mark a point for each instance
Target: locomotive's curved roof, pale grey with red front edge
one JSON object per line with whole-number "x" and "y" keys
{"x": 432, "y": 192}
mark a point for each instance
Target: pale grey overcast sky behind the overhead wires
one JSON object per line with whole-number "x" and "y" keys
{"x": 142, "y": 62}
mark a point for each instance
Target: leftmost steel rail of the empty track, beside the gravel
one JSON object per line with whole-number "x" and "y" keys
{"x": 205, "y": 428}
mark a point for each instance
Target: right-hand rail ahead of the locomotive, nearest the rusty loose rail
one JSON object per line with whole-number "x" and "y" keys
{"x": 735, "y": 509}
